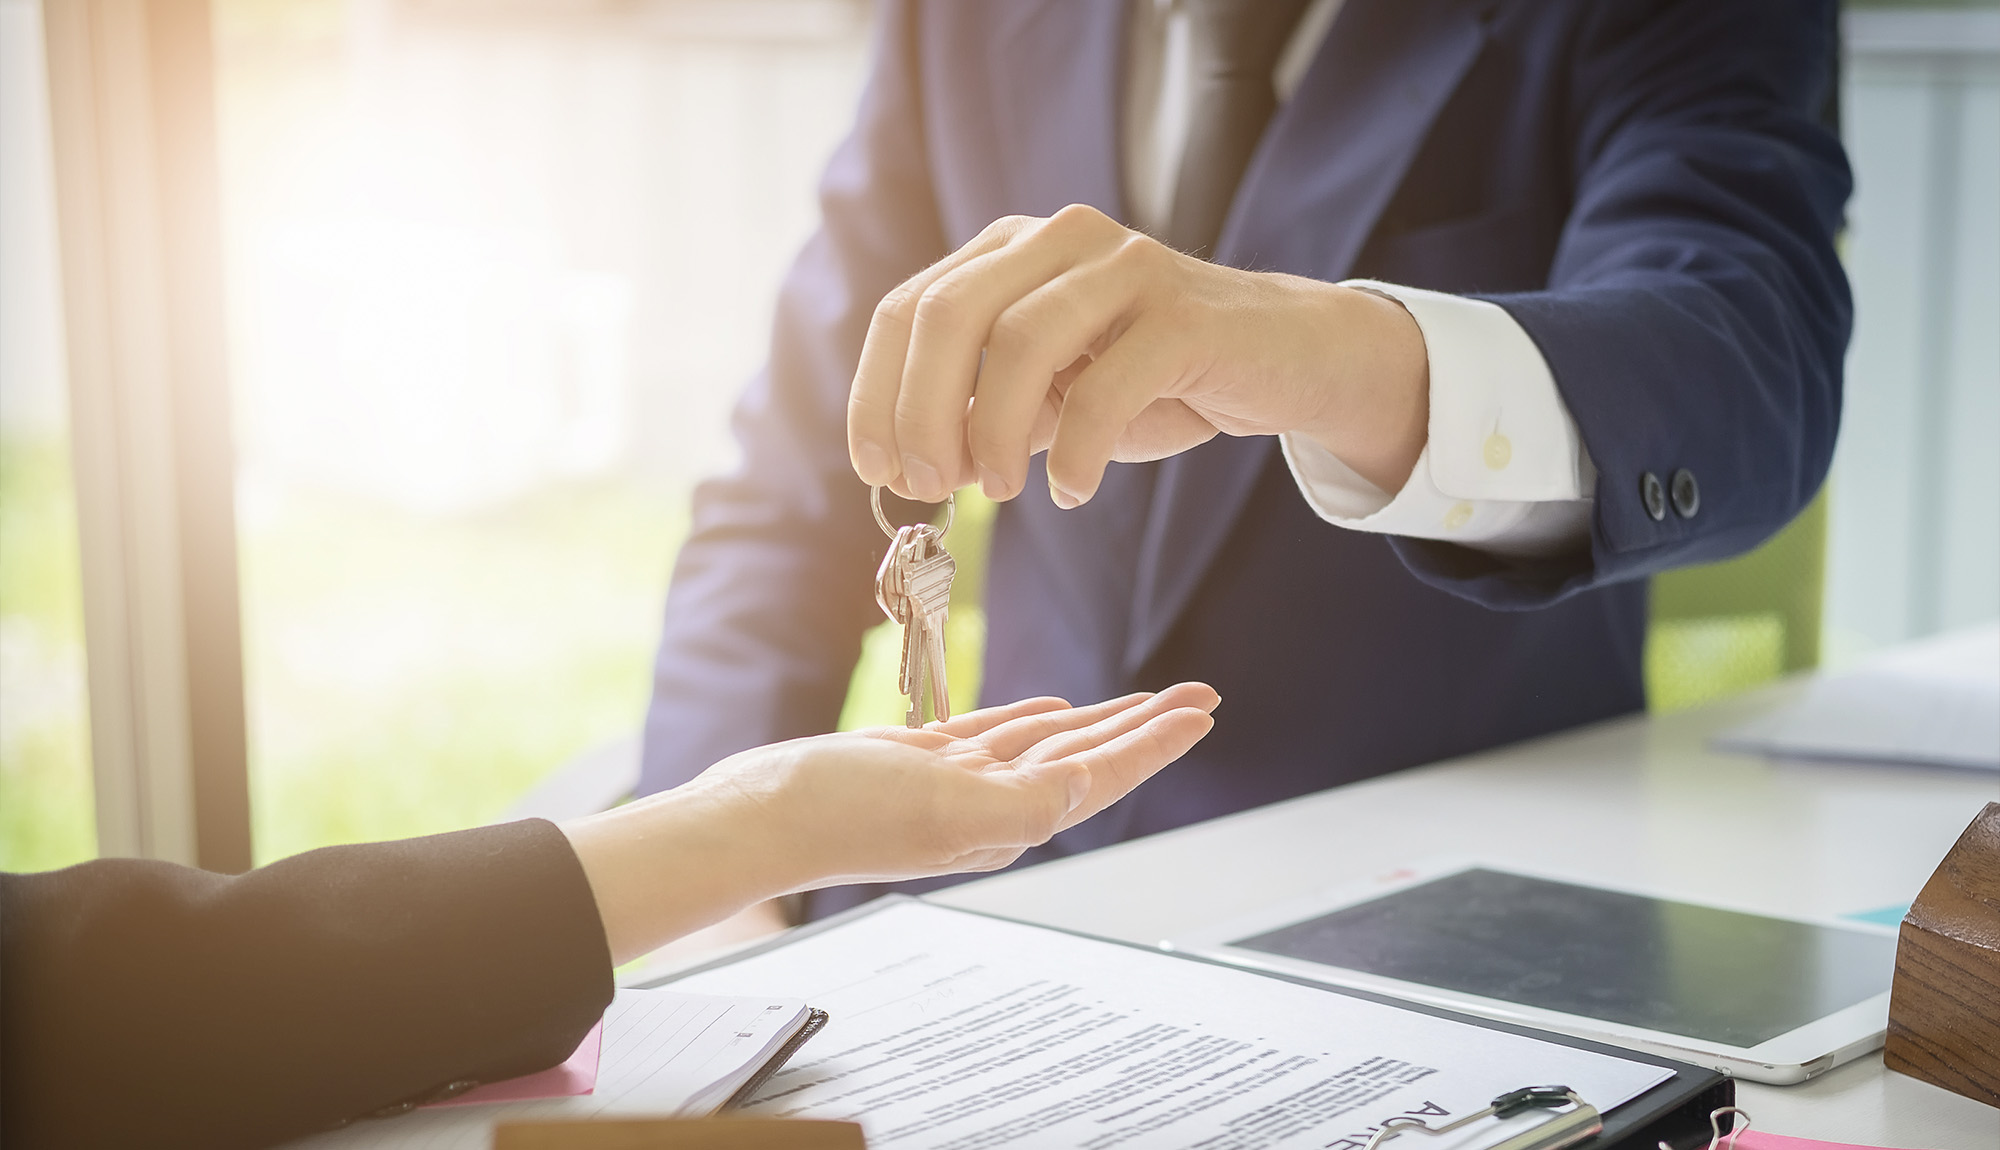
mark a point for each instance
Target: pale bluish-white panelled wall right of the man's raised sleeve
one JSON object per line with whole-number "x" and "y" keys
{"x": 1915, "y": 537}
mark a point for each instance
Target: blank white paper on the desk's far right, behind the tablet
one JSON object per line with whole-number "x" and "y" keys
{"x": 1933, "y": 703}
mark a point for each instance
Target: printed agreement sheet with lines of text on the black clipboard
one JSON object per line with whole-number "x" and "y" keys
{"x": 963, "y": 1033}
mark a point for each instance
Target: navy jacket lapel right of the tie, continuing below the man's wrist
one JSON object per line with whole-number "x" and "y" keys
{"x": 1321, "y": 179}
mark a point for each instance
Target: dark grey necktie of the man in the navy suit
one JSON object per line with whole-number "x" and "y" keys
{"x": 1235, "y": 47}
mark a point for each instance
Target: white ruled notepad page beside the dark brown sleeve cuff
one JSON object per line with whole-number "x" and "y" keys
{"x": 663, "y": 1051}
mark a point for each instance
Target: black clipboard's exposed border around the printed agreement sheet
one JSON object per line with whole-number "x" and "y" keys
{"x": 1675, "y": 1113}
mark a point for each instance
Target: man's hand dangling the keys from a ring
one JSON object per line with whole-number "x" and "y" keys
{"x": 1097, "y": 343}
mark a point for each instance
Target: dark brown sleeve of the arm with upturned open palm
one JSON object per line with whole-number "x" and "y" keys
{"x": 155, "y": 1005}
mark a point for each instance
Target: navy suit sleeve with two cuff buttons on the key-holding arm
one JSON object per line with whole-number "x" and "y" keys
{"x": 1697, "y": 313}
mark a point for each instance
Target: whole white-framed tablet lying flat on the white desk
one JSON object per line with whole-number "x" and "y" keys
{"x": 1749, "y": 995}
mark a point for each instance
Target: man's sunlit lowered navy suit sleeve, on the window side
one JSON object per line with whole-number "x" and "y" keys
{"x": 773, "y": 587}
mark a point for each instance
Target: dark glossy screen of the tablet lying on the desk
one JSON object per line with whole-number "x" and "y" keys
{"x": 1695, "y": 971}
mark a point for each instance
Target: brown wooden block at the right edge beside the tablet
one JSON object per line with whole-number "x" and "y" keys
{"x": 1945, "y": 1003}
